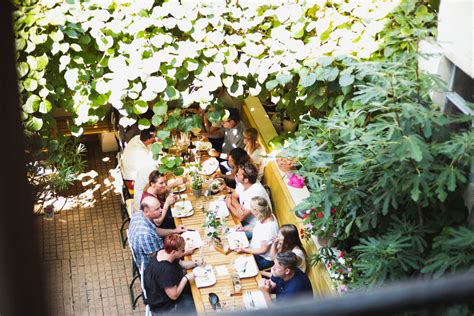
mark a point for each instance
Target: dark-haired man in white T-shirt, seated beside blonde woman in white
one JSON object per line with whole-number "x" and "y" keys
{"x": 239, "y": 201}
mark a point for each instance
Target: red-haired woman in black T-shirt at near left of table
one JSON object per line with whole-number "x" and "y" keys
{"x": 167, "y": 287}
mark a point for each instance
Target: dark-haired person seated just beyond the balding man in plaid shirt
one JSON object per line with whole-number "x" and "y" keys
{"x": 158, "y": 188}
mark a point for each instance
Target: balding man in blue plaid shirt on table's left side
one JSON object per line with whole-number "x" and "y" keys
{"x": 144, "y": 237}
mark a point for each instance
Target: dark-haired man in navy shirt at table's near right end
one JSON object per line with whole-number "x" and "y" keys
{"x": 287, "y": 280}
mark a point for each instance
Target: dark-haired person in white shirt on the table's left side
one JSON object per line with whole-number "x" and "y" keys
{"x": 136, "y": 153}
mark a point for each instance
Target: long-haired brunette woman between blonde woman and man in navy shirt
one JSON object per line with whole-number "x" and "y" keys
{"x": 288, "y": 239}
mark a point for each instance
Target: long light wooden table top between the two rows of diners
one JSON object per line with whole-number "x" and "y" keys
{"x": 215, "y": 258}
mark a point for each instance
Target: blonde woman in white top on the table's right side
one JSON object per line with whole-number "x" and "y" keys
{"x": 264, "y": 232}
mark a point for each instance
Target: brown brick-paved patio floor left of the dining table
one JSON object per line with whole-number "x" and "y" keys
{"x": 87, "y": 270}
